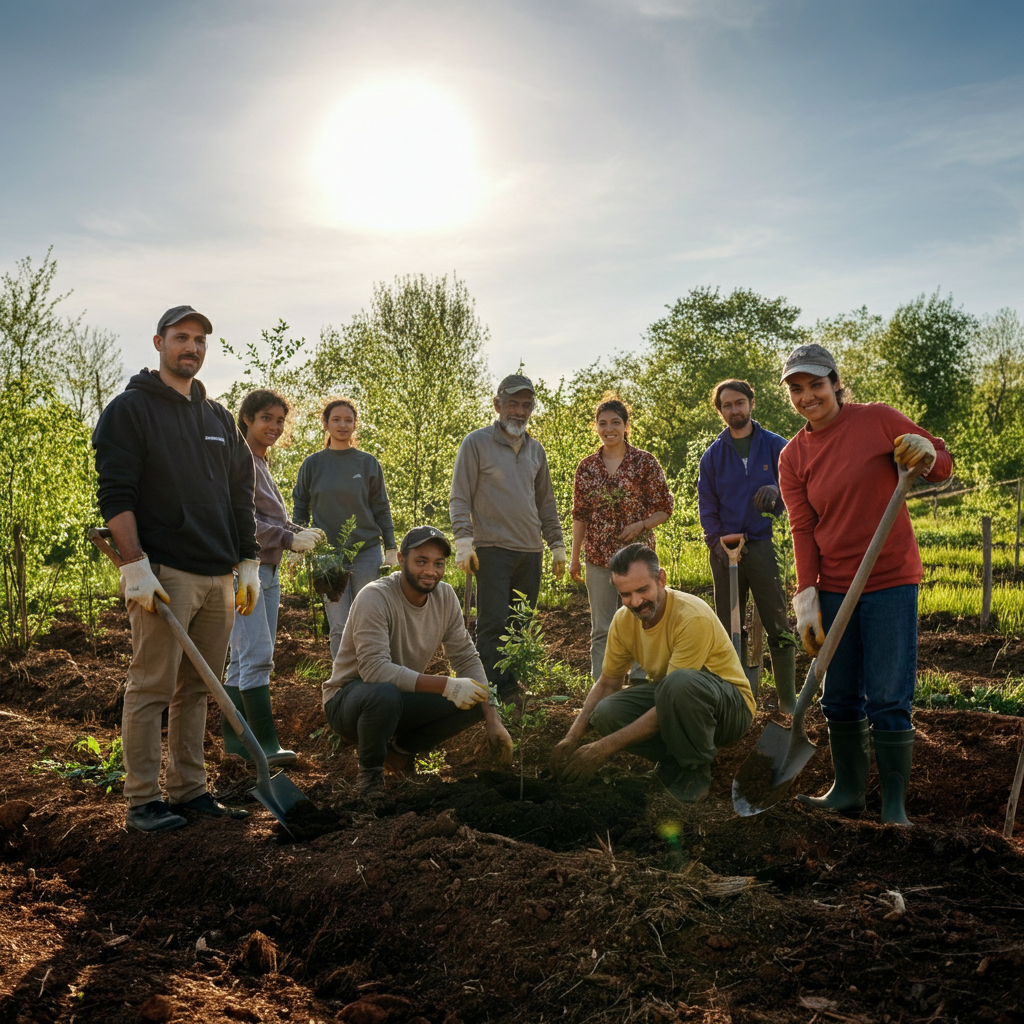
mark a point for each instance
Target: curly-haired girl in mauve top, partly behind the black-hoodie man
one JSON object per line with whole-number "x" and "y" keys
{"x": 262, "y": 420}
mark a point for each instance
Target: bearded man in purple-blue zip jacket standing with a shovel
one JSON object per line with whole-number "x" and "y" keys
{"x": 739, "y": 483}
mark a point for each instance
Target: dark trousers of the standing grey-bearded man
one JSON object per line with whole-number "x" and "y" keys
{"x": 502, "y": 573}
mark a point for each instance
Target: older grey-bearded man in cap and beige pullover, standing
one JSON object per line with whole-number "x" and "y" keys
{"x": 503, "y": 509}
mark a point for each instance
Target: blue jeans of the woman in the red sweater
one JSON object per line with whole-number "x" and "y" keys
{"x": 875, "y": 668}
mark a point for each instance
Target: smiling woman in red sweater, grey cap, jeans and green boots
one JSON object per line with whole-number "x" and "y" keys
{"x": 837, "y": 477}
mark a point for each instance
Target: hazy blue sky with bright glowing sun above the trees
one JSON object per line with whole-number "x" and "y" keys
{"x": 579, "y": 164}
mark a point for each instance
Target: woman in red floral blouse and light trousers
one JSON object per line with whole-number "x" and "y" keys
{"x": 619, "y": 496}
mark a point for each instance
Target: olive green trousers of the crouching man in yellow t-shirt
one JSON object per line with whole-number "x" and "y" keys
{"x": 698, "y": 712}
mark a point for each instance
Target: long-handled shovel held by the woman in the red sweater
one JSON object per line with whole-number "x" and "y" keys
{"x": 765, "y": 778}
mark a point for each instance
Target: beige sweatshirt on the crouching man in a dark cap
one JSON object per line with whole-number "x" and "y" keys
{"x": 390, "y": 641}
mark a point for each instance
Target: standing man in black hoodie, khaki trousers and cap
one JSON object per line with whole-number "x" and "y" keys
{"x": 177, "y": 486}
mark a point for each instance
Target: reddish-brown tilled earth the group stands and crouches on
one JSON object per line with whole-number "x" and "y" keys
{"x": 458, "y": 902}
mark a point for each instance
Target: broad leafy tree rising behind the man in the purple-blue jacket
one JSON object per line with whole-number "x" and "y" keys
{"x": 707, "y": 338}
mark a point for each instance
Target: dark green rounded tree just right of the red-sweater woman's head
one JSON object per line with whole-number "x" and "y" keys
{"x": 928, "y": 350}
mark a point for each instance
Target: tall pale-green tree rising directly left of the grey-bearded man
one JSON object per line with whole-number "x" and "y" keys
{"x": 414, "y": 364}
